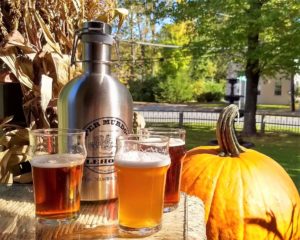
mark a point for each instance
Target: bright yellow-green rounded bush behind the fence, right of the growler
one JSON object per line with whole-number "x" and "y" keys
{"x": 175, "y": 89}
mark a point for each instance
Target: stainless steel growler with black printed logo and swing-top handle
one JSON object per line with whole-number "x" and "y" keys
{"x": 101, "y": 105}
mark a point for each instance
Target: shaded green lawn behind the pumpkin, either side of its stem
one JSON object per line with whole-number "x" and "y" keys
{"x": 284, "y": 148}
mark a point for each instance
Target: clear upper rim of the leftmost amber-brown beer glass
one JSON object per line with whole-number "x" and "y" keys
{"x": 56, "y": 131}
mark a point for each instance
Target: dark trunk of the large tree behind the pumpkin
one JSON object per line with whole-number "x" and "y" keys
{"x": 252, "y": 71}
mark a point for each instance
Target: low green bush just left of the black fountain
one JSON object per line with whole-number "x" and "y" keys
{"x": 207, "y": 91}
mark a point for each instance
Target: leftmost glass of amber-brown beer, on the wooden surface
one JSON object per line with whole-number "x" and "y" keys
{"x": 57, "y": 165}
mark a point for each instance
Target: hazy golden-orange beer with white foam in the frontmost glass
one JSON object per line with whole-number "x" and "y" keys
{"x": 141, "y": 185}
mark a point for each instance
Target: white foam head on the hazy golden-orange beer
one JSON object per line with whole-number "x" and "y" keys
{"x": 142, "y": 159}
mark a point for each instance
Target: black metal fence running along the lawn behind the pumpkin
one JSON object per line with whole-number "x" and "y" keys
{"x": 266, "y": 121}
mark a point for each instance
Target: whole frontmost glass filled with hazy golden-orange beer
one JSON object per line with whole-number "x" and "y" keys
{"x": 141, "y": 163}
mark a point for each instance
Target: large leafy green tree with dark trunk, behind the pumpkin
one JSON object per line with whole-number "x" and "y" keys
{"x": 262, "y": 35}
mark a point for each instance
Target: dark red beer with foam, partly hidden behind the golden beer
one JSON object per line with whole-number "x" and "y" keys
{"x": 172, "y": 192}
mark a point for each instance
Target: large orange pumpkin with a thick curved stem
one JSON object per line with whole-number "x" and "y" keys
{"x": 247, "y": 195}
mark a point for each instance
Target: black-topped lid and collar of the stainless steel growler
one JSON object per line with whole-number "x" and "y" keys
{"x": 97, "y": 32}
